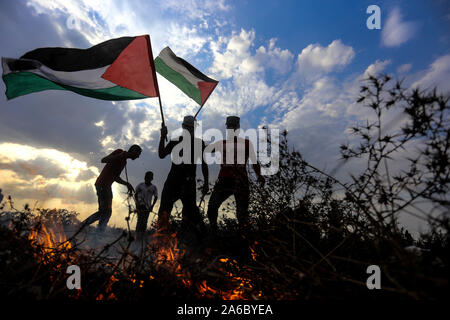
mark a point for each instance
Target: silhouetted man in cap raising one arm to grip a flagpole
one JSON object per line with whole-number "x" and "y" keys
{"x": 186, "y": 151}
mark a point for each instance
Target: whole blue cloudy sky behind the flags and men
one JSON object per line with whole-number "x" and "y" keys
{"x": 288, "y": 64}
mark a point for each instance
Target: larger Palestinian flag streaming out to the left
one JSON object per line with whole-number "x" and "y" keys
{"x": 117, "y": 69}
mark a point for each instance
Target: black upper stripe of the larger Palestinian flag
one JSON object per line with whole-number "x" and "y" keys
{"x": 72, "y": 59}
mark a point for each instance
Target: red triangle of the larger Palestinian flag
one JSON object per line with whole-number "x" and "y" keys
{"x": 134, "y": 68}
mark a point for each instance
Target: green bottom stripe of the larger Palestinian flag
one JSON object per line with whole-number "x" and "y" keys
{"x": 21, "y": 83}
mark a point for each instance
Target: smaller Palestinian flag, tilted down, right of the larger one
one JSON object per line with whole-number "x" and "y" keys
{"x": 185, "y": 76}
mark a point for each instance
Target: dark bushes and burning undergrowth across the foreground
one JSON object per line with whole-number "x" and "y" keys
{"x": 311, "y": 236}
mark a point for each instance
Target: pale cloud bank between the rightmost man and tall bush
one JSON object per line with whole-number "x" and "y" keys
{"x": 318, "y": 120}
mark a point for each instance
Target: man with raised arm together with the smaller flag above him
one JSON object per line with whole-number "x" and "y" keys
{"x": 180, "y": 183}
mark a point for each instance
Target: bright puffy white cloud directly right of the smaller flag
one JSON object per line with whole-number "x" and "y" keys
{"x": 242, "y": 71}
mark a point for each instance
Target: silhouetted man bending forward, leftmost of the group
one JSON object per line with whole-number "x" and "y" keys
{"x": 115, "y": 162}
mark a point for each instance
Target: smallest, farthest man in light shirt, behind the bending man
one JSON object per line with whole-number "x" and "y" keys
{"x": 146, "y": 196}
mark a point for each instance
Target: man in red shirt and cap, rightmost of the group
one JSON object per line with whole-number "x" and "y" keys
{"x": 233, "y": 178}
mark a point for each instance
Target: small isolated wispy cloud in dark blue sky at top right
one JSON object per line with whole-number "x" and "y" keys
{"x": 396, "y": 32}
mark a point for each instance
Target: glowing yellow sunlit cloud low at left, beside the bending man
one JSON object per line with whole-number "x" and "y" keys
{"x": 45, "y": 175}
